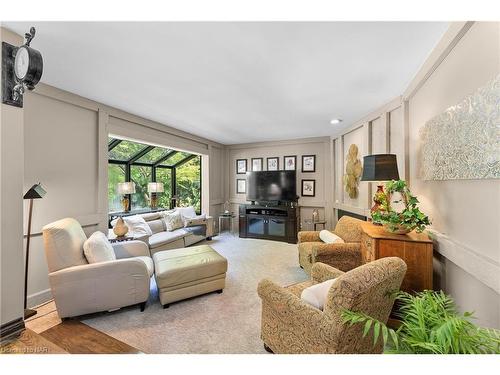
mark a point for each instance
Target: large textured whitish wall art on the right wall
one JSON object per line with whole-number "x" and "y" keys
{"x": 464, "y": 141}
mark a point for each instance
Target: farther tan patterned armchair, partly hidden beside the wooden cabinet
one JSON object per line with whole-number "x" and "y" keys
{"x": 344, "y": 256}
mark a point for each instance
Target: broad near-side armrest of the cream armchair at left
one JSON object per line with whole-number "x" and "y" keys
{"x": 101, "y": 286}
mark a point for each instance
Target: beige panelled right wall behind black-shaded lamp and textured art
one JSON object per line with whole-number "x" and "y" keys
{"x": 464, "y": 213}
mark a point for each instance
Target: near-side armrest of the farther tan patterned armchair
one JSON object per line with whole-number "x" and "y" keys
{"x": 343, "y": 256}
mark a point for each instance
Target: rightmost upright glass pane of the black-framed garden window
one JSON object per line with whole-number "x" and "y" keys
{"x": 188, "y": 180}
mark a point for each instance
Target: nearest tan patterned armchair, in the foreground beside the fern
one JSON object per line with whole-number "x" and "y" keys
{"x": 290, "y": 325}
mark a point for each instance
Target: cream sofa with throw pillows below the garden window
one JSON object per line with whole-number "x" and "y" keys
{"x": 161, "y": 239}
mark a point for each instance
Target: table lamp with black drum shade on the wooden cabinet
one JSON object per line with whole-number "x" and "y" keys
{"x": 379, "y": 167}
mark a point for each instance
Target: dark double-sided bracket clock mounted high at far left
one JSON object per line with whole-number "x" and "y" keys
{"x": 22, "y": 68}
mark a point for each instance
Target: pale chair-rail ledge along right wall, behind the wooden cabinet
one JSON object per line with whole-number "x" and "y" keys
{"x": 485, "y": 269}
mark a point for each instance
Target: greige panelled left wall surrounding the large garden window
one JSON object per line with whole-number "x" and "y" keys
{"x": 65, "y": 141}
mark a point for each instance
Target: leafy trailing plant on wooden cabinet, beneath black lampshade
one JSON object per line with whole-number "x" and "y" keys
{"x": 410, "y": 218}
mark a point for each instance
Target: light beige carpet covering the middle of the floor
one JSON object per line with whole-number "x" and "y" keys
{"x": 213, "y": 323}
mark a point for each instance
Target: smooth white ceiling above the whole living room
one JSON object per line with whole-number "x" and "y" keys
{"x": 236, "y": 82}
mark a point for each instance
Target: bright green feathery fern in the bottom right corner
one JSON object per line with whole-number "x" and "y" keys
{"x": 430, "y": 324}
